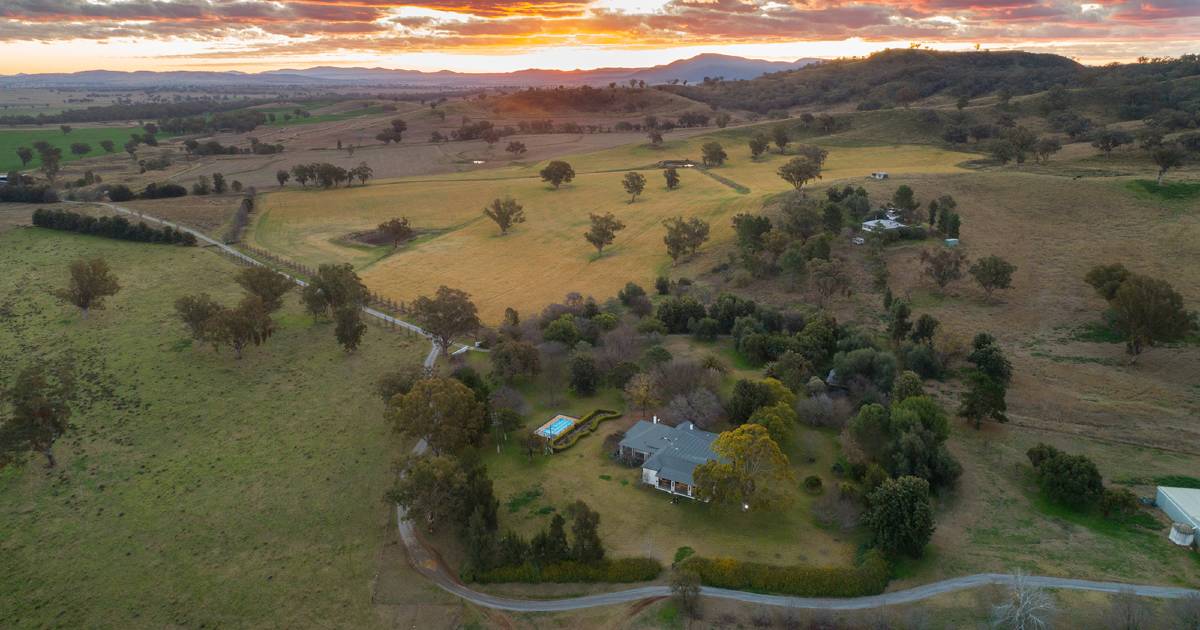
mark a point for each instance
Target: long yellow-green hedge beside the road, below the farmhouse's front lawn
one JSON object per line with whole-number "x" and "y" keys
{"x": 869, "y": 578}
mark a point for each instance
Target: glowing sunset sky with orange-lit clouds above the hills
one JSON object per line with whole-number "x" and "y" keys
{"x": 502, "y": 35}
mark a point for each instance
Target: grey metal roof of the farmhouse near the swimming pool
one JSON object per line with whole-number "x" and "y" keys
{"x": 675, "y": 452}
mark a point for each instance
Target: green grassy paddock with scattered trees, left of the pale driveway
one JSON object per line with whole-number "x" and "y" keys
{"x": 194, "y": 490}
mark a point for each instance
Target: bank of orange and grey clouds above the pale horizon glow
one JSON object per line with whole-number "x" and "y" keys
{"x": 292, "y": 28}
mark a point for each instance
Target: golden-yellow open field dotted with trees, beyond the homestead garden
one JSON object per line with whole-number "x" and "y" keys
{"x": 545, "y": 257}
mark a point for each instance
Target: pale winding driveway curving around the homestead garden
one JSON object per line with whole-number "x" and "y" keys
{"x": 431, "y": 569}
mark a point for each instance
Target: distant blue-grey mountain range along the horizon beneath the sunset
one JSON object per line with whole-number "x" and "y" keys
{"x": 693, "y": 70}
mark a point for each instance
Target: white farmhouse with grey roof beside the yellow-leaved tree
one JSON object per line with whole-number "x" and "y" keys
{"x": 668, "y": 455}
